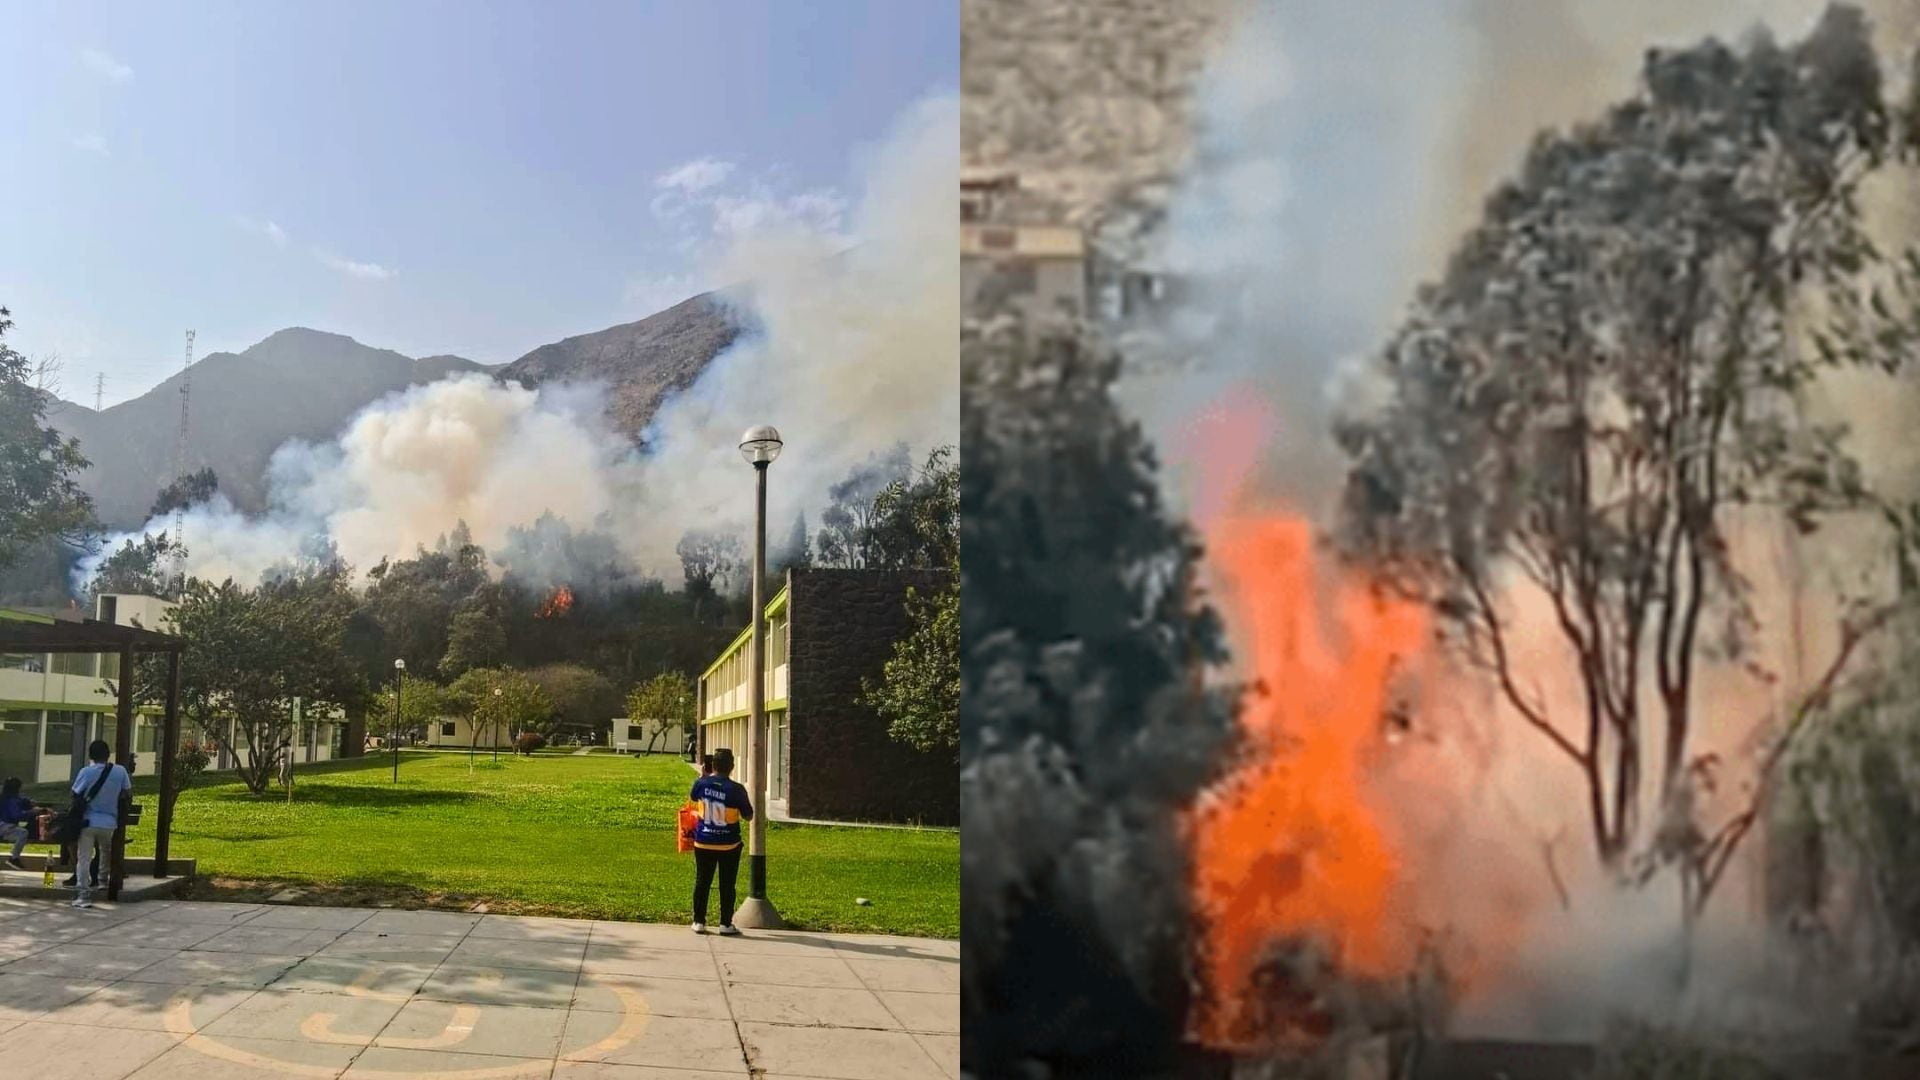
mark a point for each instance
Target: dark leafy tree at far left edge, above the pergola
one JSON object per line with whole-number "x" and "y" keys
{"x": 39, "y": 468}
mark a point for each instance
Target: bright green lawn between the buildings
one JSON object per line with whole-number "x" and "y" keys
{"x": 581, "y": 837}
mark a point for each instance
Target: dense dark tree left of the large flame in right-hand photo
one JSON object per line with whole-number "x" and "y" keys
{"x": 1080, "y": 704}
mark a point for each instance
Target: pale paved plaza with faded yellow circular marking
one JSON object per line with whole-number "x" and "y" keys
{"x": 168, "y": 991}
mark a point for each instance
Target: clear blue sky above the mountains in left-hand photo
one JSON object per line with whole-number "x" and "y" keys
{"x": 469, "y": 178}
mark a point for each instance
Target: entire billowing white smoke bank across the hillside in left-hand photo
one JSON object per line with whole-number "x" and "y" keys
{"x": 853, "y": 353}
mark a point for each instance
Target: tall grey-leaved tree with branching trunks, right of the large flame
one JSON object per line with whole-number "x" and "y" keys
{"x": 1608, "y": 383}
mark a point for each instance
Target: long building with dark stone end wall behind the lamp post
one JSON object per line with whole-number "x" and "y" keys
{"x": 830, "y": 758}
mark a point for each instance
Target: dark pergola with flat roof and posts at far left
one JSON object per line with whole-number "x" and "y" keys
{"x": 128, "y": 643}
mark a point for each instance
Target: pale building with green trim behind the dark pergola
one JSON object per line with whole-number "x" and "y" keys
{"x": 55, "y": 704}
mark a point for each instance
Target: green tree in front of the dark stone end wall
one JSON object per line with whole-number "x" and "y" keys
{"x": 919, "y": 693}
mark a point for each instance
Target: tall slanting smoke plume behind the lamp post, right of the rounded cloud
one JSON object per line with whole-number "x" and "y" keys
{"x": 861, "y": 351}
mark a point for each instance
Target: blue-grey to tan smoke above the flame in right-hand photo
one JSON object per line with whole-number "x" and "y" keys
{"x": 1339, "y": 155}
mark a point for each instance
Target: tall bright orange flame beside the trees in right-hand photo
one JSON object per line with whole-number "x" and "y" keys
{"x": 1295, "y": 845}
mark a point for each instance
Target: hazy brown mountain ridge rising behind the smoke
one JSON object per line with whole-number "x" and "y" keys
{"x": 308, "y": 385}
